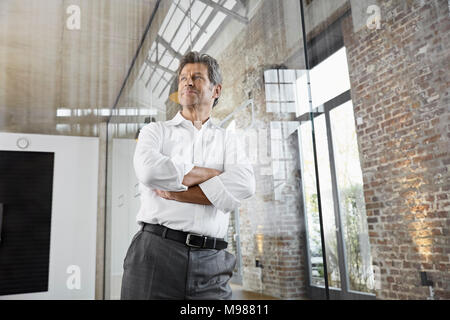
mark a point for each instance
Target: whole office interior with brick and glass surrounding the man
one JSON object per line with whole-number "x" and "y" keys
{"x": 342, "y": 105}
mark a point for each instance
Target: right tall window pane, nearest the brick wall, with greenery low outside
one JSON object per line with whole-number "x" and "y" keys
{"x": 351, "y": 199}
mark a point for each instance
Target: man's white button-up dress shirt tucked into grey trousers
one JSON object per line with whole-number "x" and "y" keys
{"x": 167, "y": 150}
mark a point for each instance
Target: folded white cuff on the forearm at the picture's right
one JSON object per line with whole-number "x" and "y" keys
{"x": 218, "y": 195}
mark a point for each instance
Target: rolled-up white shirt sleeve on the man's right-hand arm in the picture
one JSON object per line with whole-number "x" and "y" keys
{"x": 236, "y": 183}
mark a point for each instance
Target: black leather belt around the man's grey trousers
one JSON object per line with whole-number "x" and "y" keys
{"x": 189, "y": 239}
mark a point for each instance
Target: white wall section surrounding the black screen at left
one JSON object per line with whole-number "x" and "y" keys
{"x": 74, "y": 212}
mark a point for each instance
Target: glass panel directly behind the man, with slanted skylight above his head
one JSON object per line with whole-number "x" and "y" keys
{"x": 258, "y": 102}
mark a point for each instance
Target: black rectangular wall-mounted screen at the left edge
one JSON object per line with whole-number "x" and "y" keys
{"x": 26, "y": 186}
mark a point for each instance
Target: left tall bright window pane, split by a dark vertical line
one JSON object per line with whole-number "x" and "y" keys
{"x": 311, "y": 205}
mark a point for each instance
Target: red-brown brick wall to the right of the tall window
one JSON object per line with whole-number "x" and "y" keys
{"x": 400, "y": 89}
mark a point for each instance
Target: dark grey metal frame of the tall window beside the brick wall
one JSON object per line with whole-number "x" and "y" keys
{"x": 313, "y": 56}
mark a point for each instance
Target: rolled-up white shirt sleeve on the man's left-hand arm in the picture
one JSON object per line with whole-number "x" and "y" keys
{"x": 154, "y": 169}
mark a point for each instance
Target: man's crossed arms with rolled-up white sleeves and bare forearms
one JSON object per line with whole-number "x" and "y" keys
{"x": 174, "y": 178}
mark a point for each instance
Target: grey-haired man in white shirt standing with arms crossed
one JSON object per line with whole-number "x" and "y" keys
{"x": 191, "y": 175}
